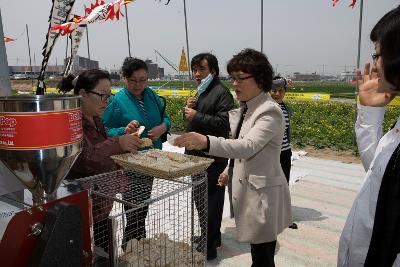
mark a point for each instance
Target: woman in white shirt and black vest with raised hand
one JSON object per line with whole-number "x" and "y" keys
{"x": 371, "y": 235}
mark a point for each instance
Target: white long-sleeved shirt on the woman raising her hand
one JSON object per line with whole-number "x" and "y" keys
{"x": 375, "y": 152}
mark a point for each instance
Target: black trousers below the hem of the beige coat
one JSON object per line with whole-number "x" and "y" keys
{"x": 263, "y": 254}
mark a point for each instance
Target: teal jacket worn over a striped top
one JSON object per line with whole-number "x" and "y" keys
{"x": 124, "y": 107}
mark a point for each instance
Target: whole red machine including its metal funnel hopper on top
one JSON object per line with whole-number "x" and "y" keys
{"x": 40, "y": 138}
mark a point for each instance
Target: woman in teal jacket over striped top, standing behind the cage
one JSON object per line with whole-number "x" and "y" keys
{"x": 132, "y": 106}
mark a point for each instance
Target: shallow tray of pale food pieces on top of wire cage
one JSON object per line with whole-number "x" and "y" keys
{"x": 163, "y": 164}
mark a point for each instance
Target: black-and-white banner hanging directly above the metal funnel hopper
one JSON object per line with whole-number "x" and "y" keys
{"x": 59, "y": 14}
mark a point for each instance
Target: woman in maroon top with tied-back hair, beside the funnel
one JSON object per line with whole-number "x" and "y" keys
{"x": 94, "y": 87}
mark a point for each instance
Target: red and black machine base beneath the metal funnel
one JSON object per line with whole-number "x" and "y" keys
{"x": 53, "y": 234}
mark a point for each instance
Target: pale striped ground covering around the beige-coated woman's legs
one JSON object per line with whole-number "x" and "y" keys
{"x": 320, "y": 201}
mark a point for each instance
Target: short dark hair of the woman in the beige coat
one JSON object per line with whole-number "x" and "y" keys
{"x": 254, "y": 63}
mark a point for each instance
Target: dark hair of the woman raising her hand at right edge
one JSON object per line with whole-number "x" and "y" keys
{"x": 387, "y": 34}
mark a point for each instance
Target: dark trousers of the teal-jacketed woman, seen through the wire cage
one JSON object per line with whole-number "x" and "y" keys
{"x": 136, "y": 219}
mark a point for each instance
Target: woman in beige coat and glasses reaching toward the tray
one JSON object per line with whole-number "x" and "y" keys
{"x": 260, "y": 194}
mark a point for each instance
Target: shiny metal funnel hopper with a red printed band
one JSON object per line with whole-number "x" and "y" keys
{"x": 40, "y": 138}
